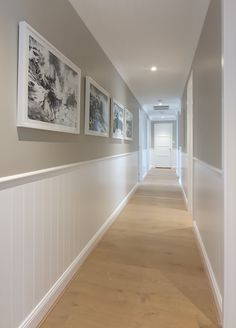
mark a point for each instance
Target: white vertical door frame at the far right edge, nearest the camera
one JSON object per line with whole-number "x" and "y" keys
{"x": 229, "y": 160}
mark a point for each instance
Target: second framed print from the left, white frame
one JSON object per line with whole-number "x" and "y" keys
{"x": 97, "y": 106}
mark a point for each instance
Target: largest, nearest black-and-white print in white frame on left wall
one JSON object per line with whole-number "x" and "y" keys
{"x": 48, "y": 85}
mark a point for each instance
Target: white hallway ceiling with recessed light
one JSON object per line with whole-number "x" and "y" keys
{"x": 138, "y": 34}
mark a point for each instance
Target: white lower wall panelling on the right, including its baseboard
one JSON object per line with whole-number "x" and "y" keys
{"x": 208, "y": 223}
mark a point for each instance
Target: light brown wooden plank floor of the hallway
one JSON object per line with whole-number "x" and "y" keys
{"x": 145, "y": 273}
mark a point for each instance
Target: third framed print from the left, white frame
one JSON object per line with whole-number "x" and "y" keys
{"x": 117, "y": 120}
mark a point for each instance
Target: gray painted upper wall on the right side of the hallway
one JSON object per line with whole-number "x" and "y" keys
{"x": 207, "y": 91}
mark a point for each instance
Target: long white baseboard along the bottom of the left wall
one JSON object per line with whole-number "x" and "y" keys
{"x": 39, "y": 312}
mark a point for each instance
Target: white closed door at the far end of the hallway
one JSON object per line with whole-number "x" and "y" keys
{"x": 162, "y": 145}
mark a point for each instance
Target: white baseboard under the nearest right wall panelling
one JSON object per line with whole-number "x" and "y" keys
{"x": 211, "y": 276}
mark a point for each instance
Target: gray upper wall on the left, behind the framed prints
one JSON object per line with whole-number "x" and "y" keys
{"x": 24, "y": 149}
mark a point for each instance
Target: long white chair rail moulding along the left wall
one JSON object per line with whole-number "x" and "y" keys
{"x": 23, "y": 178}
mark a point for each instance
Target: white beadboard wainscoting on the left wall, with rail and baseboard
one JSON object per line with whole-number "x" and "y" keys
{"x": 49, "y": 221}
